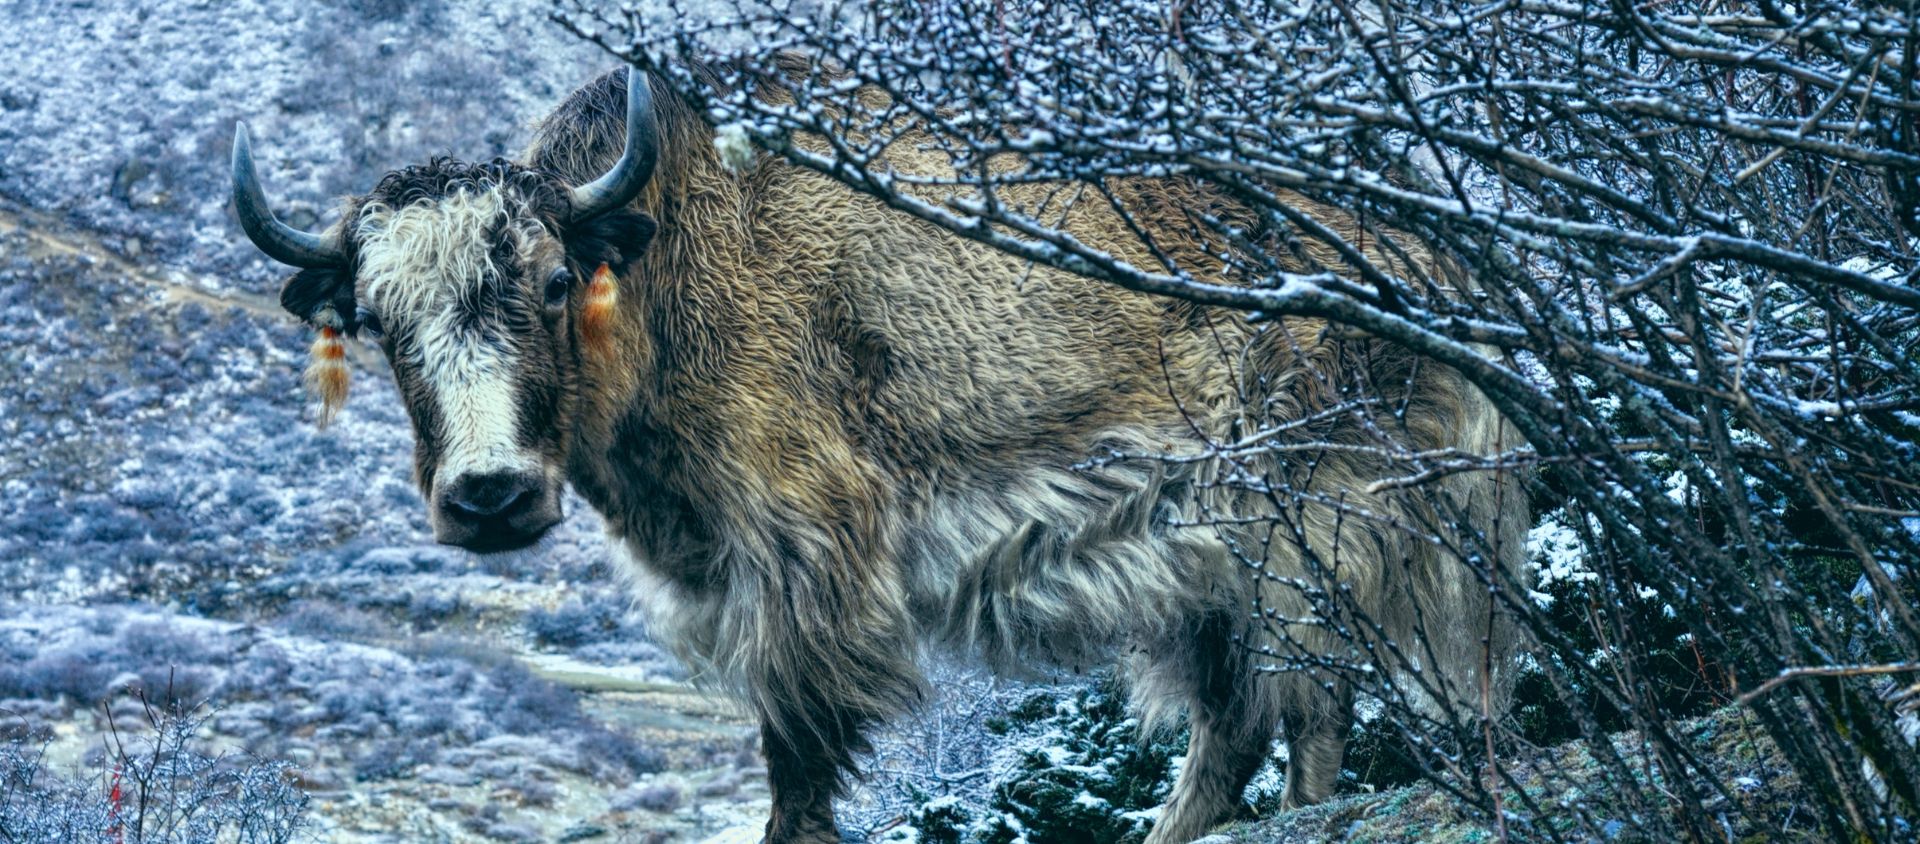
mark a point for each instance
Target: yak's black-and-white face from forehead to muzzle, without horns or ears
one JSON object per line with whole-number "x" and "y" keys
{"x": 469, "y": 298}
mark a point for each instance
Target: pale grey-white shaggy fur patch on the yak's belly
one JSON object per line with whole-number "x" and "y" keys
{"x": 1063, "y": 567}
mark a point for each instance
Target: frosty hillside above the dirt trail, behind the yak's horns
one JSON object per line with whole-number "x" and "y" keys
{"x": 120, "y": 114}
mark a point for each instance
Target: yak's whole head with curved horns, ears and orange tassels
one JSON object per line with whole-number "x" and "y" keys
{"x": 475, "y": 281}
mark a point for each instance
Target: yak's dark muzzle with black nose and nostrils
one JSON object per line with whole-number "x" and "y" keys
{"x": 496, "y": 511}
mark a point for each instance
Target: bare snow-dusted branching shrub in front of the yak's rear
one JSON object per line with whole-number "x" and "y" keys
{"x": 1675, "y": 245}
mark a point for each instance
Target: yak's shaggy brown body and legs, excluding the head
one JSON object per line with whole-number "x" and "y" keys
{"x": 830, "y": 433}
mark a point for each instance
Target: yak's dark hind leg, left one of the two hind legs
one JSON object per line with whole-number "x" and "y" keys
{"x": 1234, "y": 726}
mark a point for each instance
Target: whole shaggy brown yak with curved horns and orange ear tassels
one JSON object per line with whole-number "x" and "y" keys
{"x": 825, "y": 434}
